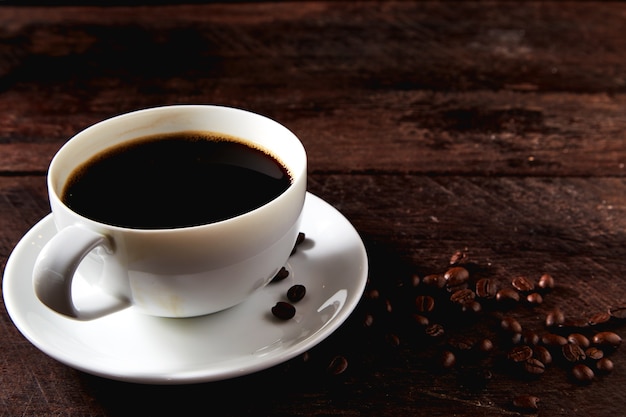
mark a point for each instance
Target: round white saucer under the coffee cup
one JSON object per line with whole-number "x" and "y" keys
{"x": 130, "y": 346}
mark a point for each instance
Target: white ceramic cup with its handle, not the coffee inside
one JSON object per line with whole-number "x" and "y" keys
{"x": 180, "y": 272}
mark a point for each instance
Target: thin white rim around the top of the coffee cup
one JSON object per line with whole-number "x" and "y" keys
{"x": 298, "y": 176}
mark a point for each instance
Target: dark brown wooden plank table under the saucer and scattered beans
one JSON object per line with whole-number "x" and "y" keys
{"x": 491, "y": 128}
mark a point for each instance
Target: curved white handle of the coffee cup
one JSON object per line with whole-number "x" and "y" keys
{"x": 55, "y": 268}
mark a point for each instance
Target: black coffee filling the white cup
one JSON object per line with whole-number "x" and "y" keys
{"x": 175, "y": 180}
